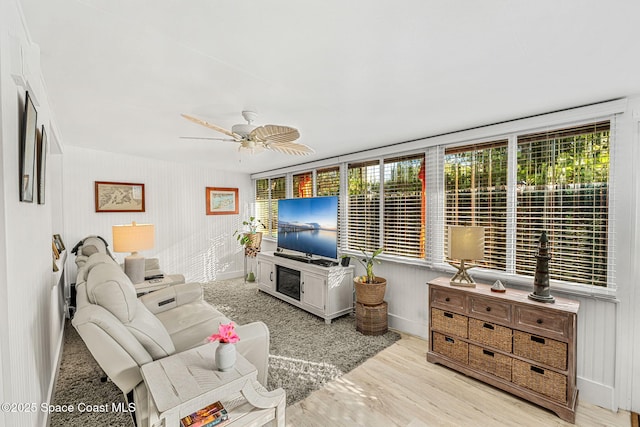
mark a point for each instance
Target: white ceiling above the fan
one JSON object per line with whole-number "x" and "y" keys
{"x": 350, "y": 75}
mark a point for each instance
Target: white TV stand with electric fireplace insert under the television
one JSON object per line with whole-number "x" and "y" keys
{"x": 326, "y": 292}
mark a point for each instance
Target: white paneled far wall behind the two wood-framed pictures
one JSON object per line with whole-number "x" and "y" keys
{"x": 187, "y": 241}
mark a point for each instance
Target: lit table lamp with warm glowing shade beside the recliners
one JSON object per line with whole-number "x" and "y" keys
{"x": 133, "y": 238}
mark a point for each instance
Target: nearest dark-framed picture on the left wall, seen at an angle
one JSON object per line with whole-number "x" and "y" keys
{"x": 28, "y": 150}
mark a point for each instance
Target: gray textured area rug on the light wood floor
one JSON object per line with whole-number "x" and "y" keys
{"x": 305, "y": 353}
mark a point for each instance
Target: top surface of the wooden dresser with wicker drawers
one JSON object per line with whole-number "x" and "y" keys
{"x": 512, "y": 295}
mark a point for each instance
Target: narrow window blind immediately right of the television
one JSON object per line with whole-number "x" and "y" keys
{"x": 363, "y": 210}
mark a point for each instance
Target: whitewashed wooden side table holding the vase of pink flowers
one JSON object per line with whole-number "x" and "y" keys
{"x": 181, "y": 384}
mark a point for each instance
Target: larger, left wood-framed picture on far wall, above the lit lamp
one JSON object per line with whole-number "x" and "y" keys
{"x": 119, "y": 197}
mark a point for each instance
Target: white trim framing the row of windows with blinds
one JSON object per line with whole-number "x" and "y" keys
{"x": 433, "y": 147}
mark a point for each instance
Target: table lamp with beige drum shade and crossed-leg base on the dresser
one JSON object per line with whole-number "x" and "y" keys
{"x": 466, "y": 243}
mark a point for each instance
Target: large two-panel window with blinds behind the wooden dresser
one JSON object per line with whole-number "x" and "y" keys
{"x": 559, "y": 185}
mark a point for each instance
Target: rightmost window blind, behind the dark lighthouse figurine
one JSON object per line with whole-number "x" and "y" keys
{"x": 563, "y": 189}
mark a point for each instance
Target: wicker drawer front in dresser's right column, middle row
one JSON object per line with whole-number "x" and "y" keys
{"x": 544, "y": 350}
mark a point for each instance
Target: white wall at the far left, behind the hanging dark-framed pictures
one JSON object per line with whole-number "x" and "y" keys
{"x": 30, "y": 319}
